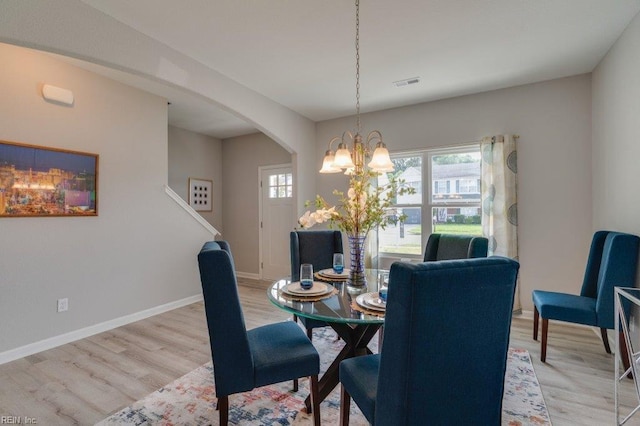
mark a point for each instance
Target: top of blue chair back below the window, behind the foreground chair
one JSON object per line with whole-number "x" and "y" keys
{"x": 452, "y": 246}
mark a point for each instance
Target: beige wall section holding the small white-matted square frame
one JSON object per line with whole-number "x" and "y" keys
{"x": 192, "y": 155}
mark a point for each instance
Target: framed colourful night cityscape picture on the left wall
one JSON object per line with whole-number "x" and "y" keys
{"x": 40, "y": 181}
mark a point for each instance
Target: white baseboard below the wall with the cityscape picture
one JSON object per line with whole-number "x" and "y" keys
{"x": 72, "y": 336}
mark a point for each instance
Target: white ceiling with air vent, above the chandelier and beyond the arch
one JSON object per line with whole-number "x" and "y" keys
{"x": 301, "y": 53}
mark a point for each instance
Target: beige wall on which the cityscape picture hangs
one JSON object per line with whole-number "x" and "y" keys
{"x": 139, "y": 253}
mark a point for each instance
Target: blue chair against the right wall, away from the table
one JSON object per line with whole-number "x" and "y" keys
{"x": 613, "y": 259}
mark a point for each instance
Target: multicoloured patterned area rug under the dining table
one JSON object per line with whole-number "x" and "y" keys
{"x": 190, "y": 400}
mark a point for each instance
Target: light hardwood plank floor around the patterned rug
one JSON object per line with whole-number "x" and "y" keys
{"x": 87, "y": 380}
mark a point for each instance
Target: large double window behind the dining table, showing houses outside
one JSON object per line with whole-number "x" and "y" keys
{"x": 449, "y": 197}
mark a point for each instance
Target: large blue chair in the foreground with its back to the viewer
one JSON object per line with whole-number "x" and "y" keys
{"x": 445, "y": 347}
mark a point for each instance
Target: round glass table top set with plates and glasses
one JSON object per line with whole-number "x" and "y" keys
{"x": 336, "y": 308}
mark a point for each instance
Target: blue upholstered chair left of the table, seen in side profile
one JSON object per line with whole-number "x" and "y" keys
{"x": 243, "y": 360}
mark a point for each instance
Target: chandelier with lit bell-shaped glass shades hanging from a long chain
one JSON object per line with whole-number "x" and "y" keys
{"x": 352, "y": 161}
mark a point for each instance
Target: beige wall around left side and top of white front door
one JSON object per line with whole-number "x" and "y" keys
{"x": 240, "y": 194}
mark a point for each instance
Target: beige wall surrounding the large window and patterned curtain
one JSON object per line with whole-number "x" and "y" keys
{"x": 553, "y": 120}
